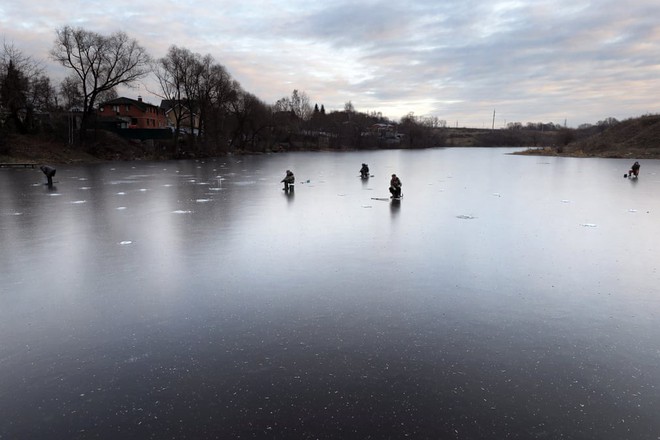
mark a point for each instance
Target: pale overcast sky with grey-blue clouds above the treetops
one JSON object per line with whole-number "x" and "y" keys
{"x": 460, "y": 60}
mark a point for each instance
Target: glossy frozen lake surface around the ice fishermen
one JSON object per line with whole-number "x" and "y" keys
{"x": 503, "y": 297}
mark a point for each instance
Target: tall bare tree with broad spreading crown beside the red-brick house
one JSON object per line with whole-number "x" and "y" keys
{"x": 100, "y": 63}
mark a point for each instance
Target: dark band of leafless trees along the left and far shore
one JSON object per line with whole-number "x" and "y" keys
{"x": 213, "y": 114}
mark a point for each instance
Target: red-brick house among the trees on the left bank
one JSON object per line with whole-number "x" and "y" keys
{"x": 131, "y": 113}
